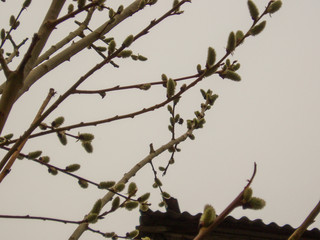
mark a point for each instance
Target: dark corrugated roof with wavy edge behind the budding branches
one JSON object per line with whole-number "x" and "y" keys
{"x": 185, "y": 223}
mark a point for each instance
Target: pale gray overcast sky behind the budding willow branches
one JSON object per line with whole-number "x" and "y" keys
{"x": 271, "y": 117}
